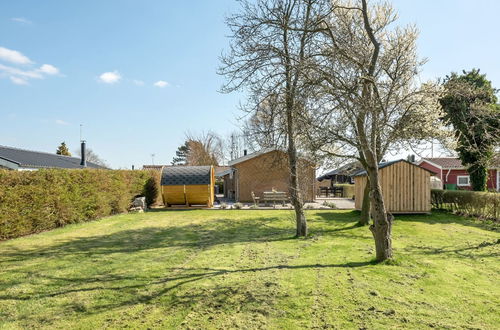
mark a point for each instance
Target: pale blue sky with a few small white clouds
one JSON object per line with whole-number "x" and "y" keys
{"x": 139, "y": 75}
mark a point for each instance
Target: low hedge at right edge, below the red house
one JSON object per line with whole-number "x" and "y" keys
{"x": 472, "y": 203}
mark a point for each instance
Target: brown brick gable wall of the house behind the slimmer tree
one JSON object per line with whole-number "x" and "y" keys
{"x": 270, "y": 171}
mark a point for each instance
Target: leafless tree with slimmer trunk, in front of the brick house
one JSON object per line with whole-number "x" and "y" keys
{"x": 269, "y": 52}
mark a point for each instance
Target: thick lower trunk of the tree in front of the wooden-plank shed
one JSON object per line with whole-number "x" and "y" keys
{"x": 382, "y": 221}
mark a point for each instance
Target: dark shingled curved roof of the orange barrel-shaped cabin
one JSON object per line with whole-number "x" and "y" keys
{"x": 185, "y": 175}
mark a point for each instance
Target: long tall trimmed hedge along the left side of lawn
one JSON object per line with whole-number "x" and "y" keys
{"x": 31, "y": 202}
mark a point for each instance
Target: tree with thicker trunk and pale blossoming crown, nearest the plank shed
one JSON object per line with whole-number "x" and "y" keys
{"x": 368, "y": 99}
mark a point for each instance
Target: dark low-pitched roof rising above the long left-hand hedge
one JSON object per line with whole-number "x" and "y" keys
{"x": 36, "y": 159}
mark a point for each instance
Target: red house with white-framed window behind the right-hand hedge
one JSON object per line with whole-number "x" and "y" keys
{"x": 451, "y": 171}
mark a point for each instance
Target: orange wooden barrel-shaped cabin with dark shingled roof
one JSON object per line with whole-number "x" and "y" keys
{"x": 188, "y": 185}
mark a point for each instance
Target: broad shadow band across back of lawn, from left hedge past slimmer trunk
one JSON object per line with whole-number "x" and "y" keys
{"x": 194, "y": 235}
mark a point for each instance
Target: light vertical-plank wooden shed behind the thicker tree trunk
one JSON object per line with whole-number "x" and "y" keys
{"x": 405, "y": 186}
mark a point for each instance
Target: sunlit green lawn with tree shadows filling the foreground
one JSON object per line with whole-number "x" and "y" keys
{"x": 230, "y": 269}
